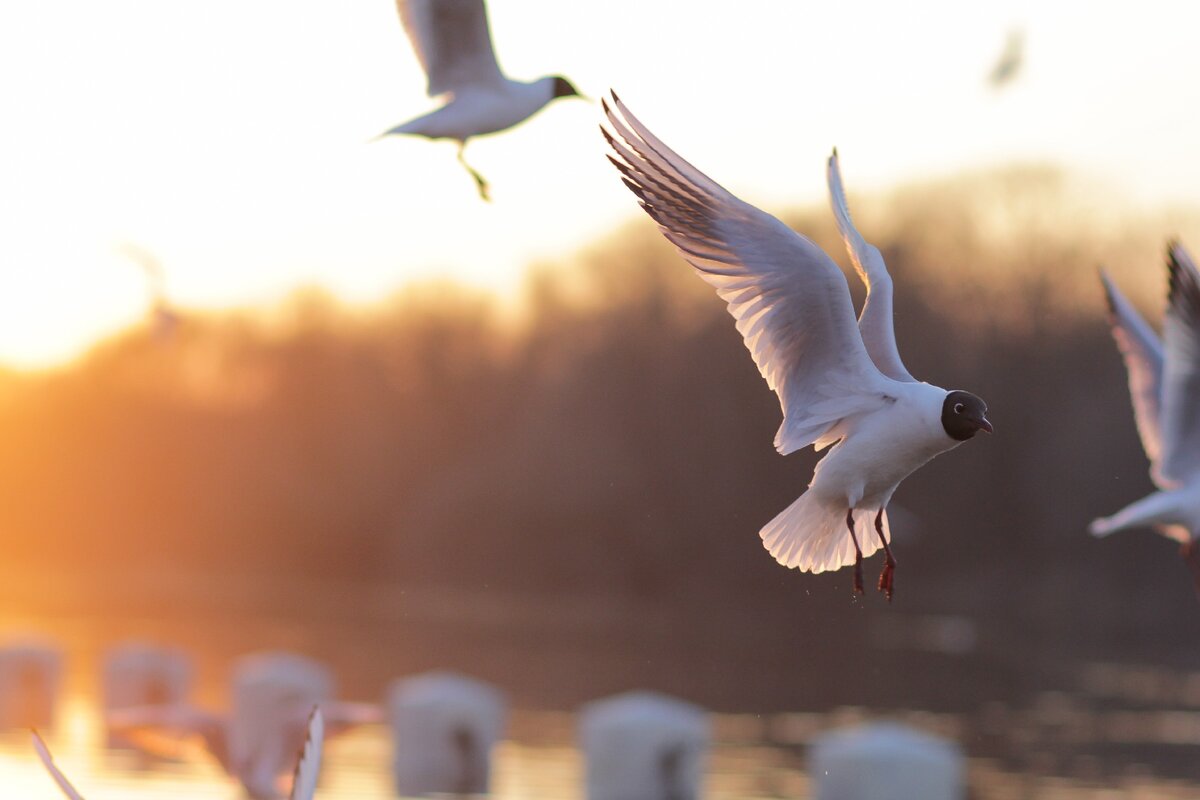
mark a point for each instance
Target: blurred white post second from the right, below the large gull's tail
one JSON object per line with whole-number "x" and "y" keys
{"x": 644, "y": 745}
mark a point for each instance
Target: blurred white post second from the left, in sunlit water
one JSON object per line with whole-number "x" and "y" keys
{"x": 139, "y": 673}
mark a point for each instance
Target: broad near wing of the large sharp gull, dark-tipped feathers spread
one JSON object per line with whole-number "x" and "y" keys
{"x": 790, "y": 300}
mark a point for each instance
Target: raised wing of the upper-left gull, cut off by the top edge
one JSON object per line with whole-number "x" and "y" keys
{"x": 453, "y": 44}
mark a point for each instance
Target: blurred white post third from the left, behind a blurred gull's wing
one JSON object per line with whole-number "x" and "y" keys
{"x": 273, "y": 696}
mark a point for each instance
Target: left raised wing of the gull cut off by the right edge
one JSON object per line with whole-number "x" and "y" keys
{"x": 1143, "y": 354}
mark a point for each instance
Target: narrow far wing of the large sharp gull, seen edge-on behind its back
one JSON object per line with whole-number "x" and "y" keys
{"x": 875, "y": 323}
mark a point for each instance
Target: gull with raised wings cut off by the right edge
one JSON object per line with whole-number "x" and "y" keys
{"x": 1165, "y": 384}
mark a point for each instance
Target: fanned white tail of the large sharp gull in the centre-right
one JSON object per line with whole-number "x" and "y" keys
{"x": 812, "y": 537}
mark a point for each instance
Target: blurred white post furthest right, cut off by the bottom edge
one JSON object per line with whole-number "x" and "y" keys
{"x": 885, "y": 762}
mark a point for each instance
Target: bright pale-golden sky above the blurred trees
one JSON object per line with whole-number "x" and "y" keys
{"x": 231, "y": 139}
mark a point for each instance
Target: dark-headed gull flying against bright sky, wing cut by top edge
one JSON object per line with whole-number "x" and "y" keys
{"x": 454, "y": 46}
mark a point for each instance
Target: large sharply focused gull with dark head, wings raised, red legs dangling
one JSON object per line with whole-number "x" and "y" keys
{"x": 838, "y": 384}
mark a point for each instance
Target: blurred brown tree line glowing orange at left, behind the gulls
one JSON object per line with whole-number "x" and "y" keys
{"x": 614, "y": 442}
